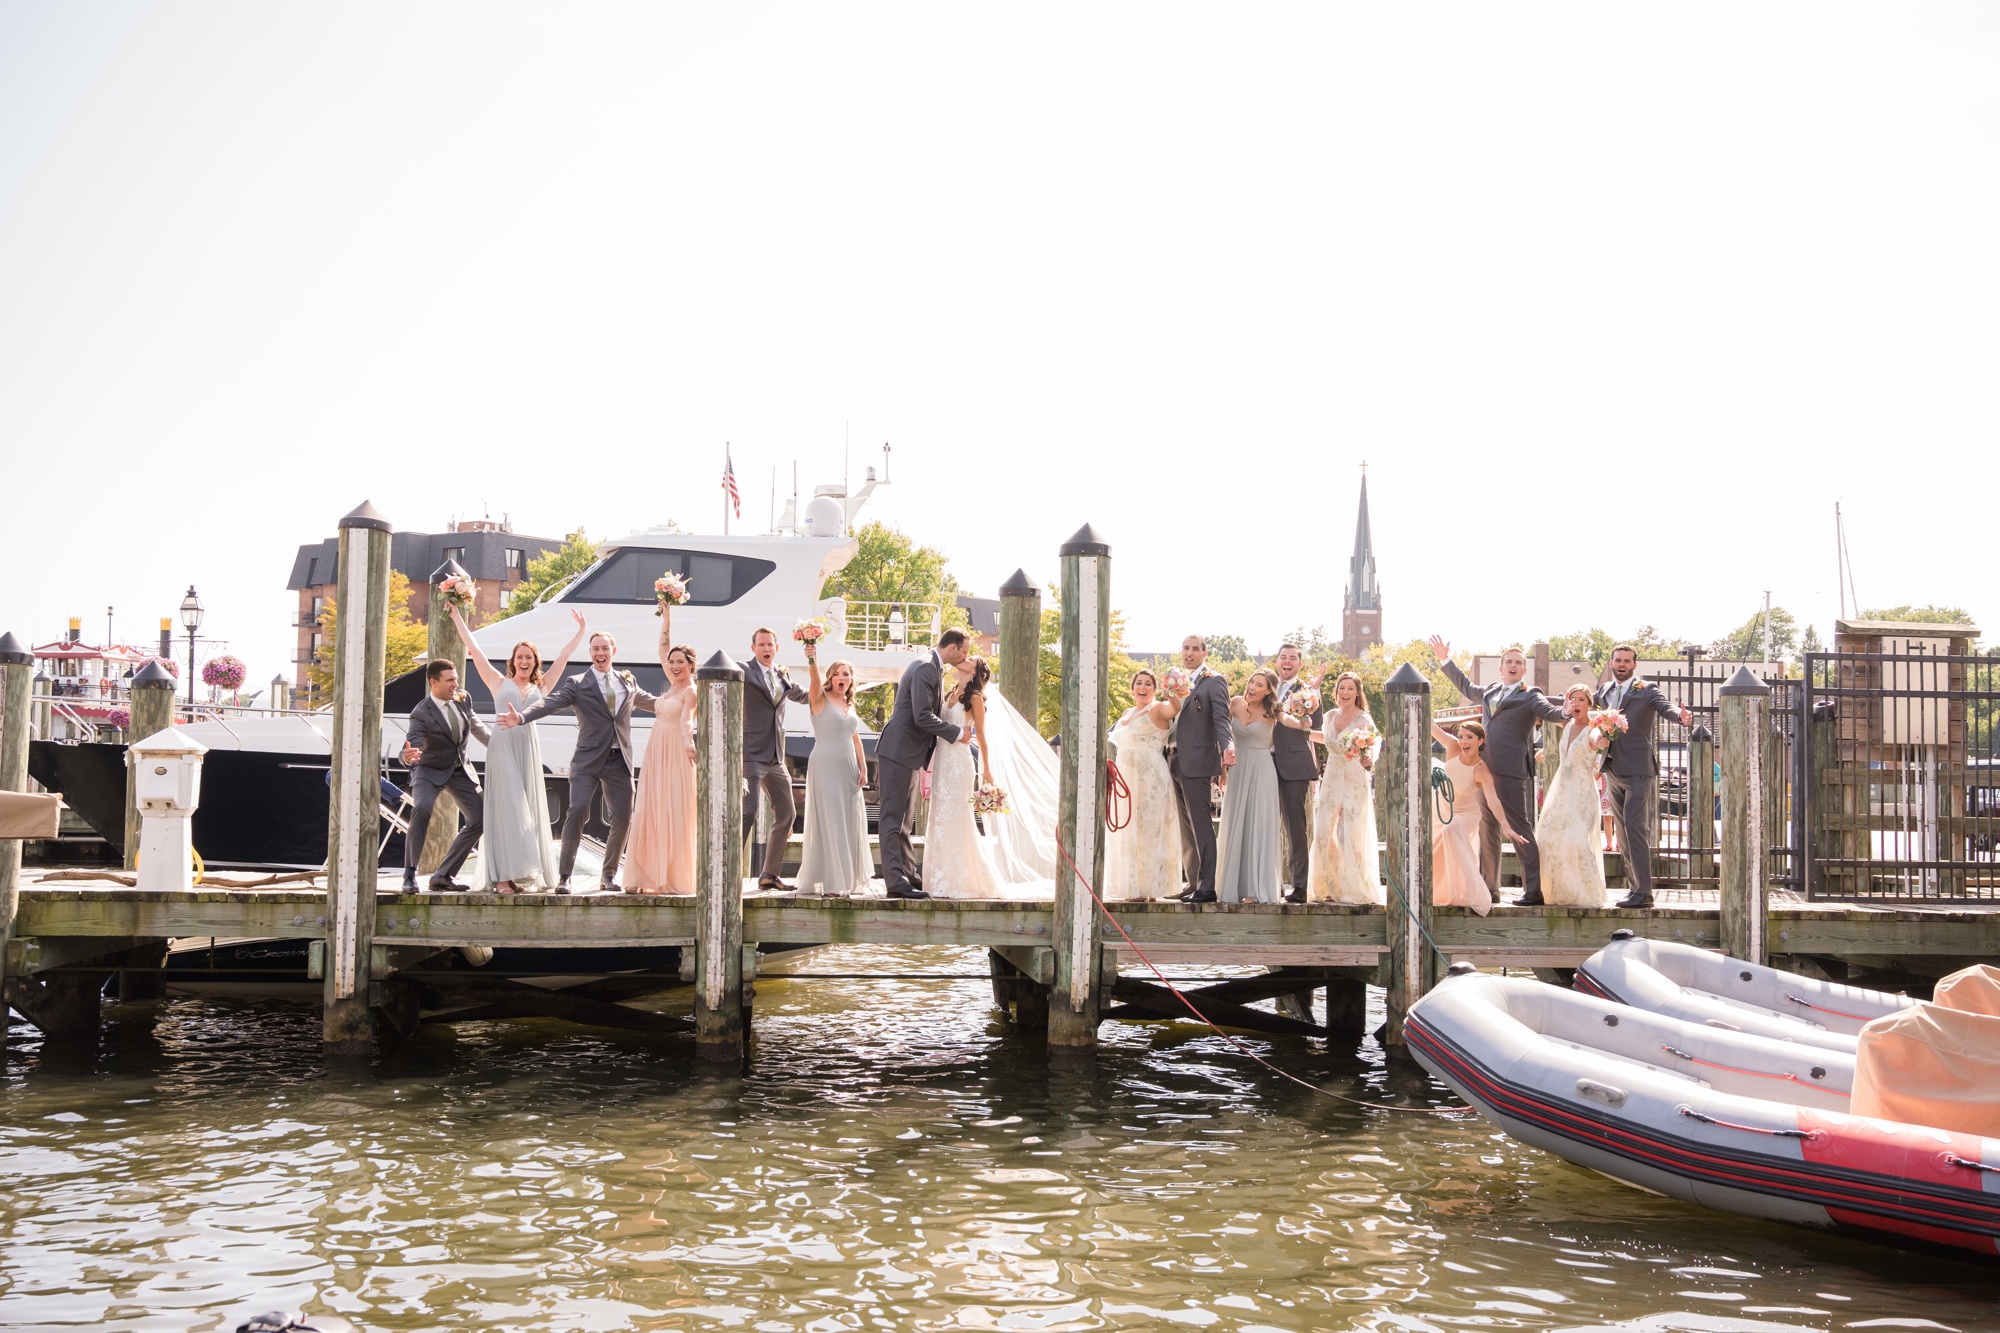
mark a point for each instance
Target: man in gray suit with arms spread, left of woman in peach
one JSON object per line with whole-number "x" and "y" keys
{"x": 603, "y": 702}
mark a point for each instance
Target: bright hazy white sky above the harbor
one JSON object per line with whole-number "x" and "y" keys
{"x": 1615, "y": 301}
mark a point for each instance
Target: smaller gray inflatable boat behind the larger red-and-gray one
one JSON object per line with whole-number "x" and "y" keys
{"x": 1721, "y": 992}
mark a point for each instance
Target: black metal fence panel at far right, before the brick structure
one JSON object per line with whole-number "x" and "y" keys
{"x": 1901, "y": 778}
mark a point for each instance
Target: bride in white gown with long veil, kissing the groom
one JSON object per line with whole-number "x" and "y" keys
{"x": 1017, "y": 856}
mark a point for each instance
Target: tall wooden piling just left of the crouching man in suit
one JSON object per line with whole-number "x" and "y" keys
{"x": 353, "y": 826}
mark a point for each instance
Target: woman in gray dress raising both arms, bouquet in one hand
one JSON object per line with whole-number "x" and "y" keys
{"x": 517, "y": 852}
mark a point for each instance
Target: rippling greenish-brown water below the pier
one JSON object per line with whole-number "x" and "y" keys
{"x": 893, "y": 1160}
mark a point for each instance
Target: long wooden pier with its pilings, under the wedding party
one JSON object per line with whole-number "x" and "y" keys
{"x": 1059, "y": 968}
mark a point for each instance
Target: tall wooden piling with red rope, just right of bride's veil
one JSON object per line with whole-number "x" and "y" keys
{"x": 1087, "y": 587}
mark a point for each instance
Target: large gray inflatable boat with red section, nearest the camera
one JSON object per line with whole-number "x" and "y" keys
{"x": 1729, "y": 1120}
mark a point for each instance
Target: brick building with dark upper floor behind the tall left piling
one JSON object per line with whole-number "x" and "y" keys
{"x": 493, "y": 553}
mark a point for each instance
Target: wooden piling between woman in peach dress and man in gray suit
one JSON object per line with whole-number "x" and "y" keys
{"x": 721, "y": 1030}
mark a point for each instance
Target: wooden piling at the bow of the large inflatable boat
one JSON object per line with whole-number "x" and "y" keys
{"x": 1405, "y": 766}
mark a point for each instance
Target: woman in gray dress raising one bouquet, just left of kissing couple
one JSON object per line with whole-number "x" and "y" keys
{"x": 835, "y": 856}
